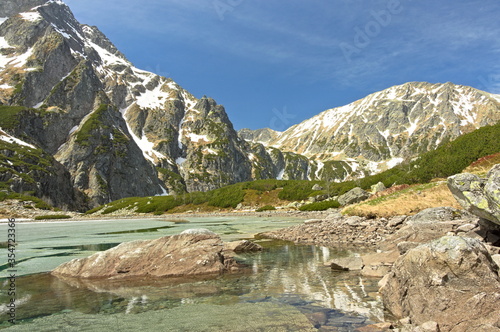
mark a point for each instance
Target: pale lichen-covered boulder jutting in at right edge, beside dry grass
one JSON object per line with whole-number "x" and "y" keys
{"x": 477, "y": 195}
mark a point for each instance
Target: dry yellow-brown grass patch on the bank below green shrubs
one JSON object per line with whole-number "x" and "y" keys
{"x": 406, "y": 201}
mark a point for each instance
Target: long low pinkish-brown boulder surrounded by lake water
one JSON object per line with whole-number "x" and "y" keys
{"x": 192, "y": 253}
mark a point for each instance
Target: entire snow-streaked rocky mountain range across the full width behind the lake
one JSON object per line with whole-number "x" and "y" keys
{"x": 117, "y": 131}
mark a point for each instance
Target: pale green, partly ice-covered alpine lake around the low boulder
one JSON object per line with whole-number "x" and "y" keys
{"x": 286, "y": 287}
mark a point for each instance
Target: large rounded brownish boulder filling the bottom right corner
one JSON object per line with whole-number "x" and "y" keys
{"x": 451, "y": 281}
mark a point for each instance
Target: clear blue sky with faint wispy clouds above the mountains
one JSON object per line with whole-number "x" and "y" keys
{"x": 277, "y": 63}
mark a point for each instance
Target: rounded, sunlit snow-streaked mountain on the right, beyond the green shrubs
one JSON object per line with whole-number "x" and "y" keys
{"x": 393, "y": 125}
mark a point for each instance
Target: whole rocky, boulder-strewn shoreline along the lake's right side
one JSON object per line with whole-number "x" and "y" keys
{"x": 440, "y": 267}
